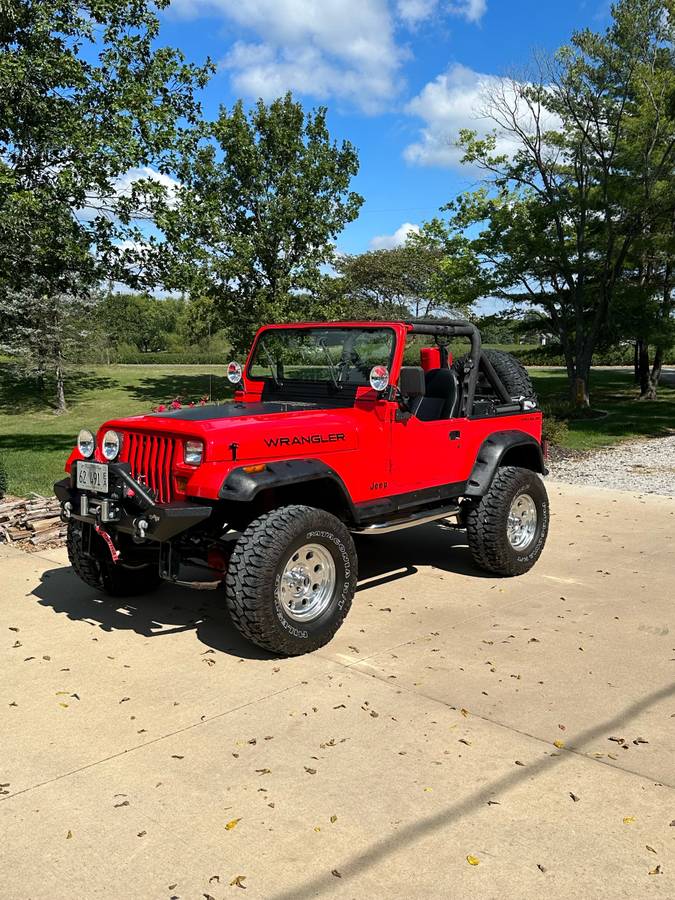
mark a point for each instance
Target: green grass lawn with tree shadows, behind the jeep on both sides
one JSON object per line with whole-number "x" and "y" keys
{"x": 34, "y": 443}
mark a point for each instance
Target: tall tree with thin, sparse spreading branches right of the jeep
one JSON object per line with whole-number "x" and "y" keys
{"x": 571, "y": 184}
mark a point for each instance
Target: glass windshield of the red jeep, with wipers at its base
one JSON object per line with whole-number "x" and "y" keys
{"x": 339, "y": 356}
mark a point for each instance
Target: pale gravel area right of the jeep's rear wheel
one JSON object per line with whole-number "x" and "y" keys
{"x": 644, "y": 466}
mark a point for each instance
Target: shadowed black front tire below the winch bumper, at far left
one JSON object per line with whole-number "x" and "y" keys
{"x": 98, "y": 570}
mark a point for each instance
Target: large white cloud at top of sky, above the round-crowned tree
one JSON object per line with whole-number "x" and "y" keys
{"x": 343, "y": 49}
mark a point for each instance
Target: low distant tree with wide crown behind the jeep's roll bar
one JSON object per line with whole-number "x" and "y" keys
{"x": 419, "y": 279}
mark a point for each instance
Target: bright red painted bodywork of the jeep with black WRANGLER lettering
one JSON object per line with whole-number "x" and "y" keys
{"x": 374, "y": 454}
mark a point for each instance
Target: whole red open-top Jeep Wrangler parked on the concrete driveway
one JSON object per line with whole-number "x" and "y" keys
{"x": 329, "y": 435}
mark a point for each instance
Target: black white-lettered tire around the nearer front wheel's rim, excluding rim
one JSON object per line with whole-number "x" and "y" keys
{"x": 252, "y": 583}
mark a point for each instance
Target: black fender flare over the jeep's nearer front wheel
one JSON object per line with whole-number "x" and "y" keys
{"x": 242, "y": 486}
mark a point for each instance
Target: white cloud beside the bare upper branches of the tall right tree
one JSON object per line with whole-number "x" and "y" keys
{"x": 455, "y": 100}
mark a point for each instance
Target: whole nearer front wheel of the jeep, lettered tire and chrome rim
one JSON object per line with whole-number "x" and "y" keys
{"x": 291, "y": 579}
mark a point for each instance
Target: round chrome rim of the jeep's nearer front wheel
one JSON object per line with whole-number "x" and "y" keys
{"x": 307, "y": 583}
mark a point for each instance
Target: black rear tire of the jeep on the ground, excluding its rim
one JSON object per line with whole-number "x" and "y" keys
{"x": 487, "y": 518}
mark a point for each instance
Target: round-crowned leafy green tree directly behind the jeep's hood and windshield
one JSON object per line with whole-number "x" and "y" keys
{"x": 260, "y": 203}
